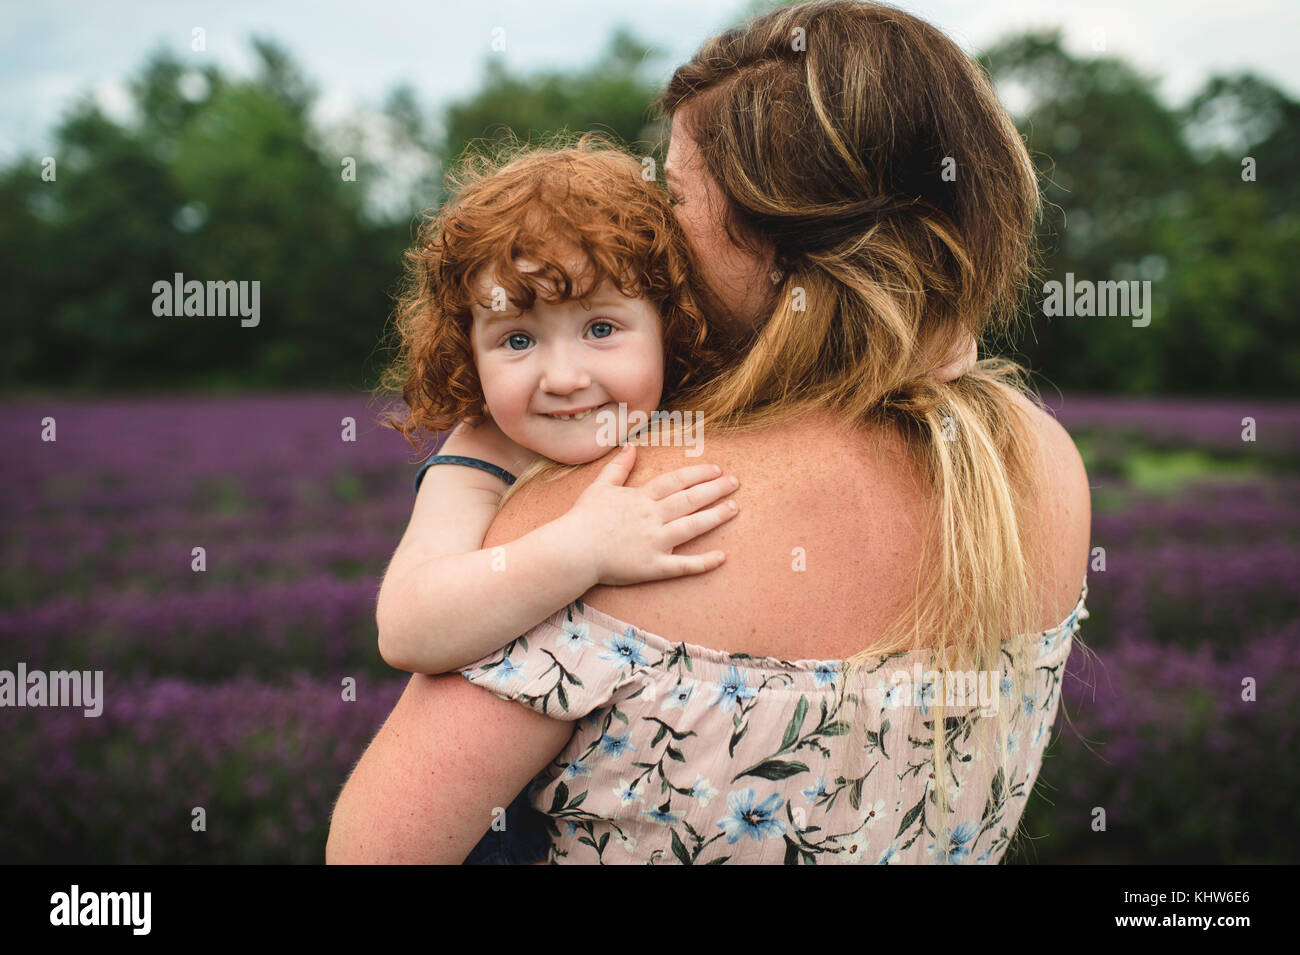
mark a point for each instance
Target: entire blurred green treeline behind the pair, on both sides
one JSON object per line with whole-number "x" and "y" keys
{"x": 226, "y": 179}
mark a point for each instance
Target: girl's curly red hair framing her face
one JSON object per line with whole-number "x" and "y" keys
{"x": 540, "y": 203}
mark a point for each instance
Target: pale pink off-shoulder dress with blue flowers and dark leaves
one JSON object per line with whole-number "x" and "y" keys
{"x": 690, "y": 756}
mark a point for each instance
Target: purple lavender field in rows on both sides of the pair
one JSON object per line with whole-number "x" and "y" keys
{"x": 224, "y": 689}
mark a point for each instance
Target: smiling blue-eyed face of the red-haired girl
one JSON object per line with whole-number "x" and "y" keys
{"x": 567, "y": 358}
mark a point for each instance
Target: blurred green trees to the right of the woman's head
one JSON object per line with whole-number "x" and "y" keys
{"x": 1130, "y": 199}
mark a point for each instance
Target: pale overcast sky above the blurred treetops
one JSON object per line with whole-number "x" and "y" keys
{"x": 357, "y": 53}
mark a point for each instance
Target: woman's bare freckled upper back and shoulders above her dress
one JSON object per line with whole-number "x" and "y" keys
{"x": 843, "y": 505}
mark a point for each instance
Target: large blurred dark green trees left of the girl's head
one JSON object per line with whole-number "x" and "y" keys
{"x": 219, "y": 181}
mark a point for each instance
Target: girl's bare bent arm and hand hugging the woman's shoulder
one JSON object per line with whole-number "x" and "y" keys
{"x": 448, "y": 602}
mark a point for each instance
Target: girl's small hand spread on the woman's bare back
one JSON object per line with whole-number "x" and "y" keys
{"x": 631, "y": 532}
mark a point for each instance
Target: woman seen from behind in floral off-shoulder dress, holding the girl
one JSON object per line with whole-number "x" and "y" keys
{"x": 886, "y": 518}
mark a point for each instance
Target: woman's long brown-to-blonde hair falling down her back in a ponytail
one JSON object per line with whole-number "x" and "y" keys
{"x": 874, "y": 155}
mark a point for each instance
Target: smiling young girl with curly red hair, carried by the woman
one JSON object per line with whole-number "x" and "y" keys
{"x": 549, "y": 299}
